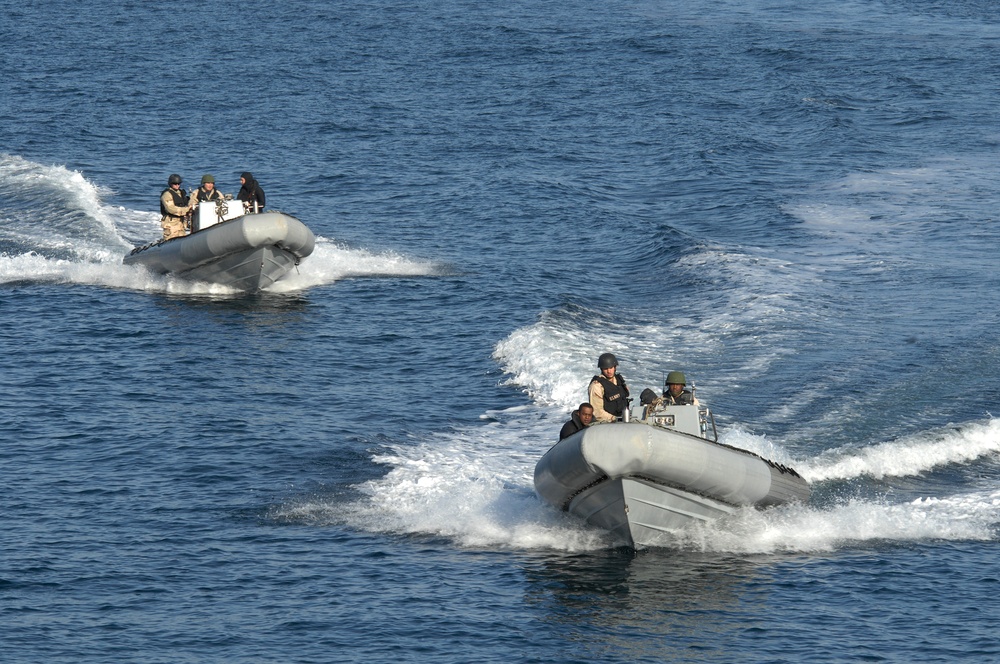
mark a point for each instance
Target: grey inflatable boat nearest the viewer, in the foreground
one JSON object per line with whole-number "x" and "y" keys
{"x": 645, "y": 479}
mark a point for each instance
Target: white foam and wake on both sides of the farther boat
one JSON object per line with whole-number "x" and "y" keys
{"x": 57, "y": 229}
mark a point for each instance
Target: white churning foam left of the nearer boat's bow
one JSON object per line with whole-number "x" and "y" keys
{"x": 473, "y": 486}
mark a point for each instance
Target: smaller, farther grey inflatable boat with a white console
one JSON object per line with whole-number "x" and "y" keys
{"x": 246, "y": 252}
